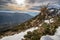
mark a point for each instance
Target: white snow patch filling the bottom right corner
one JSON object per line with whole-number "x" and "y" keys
{"x": 54, "y": 37}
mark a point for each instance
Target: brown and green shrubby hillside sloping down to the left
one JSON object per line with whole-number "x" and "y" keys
{"x": 45, "y": 28}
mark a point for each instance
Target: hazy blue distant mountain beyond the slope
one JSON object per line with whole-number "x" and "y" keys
{"x": 7, "y": 20}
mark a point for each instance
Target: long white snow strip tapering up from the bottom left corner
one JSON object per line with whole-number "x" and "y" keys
{"x": 18, "y": 36}
